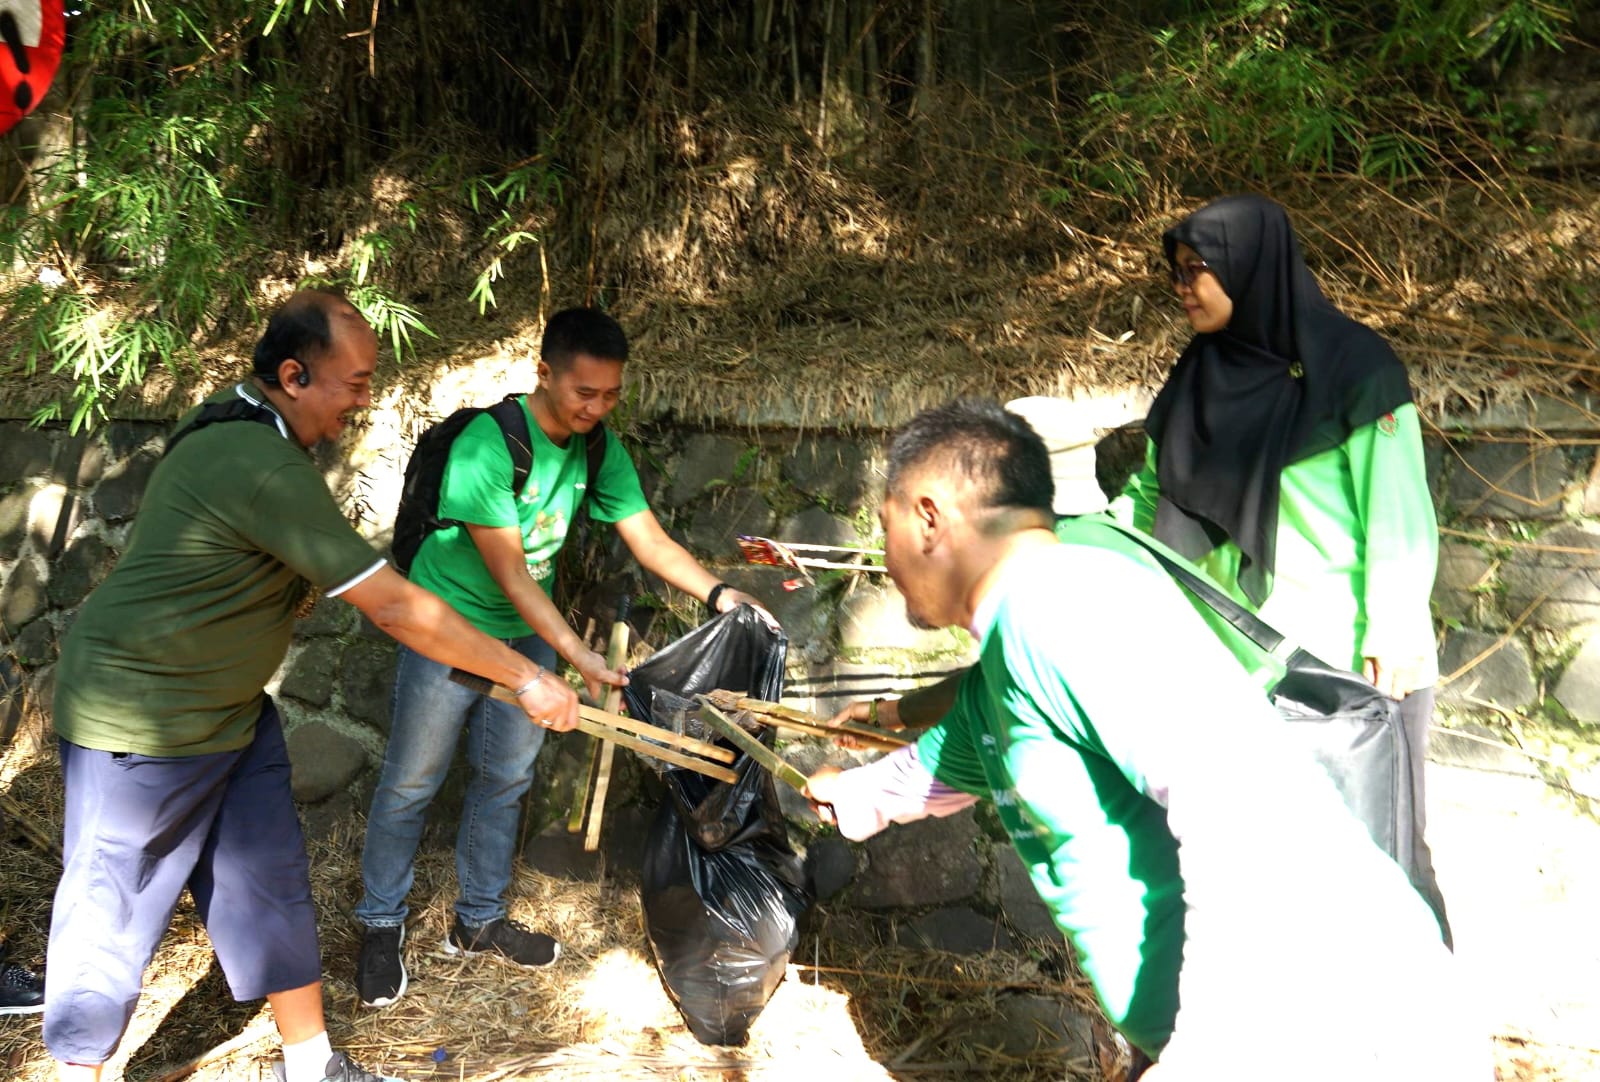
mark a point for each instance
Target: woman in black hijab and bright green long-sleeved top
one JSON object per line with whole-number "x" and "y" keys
{"x": 1286, "y": 460}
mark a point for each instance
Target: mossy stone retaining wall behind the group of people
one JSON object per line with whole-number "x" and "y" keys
{"x": 1518, "y": 598}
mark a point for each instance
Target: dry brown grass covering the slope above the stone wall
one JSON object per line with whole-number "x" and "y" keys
{"x": 772, "y": 281}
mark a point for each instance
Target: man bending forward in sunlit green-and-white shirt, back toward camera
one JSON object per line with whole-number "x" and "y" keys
{"x": 1204, "y": 865}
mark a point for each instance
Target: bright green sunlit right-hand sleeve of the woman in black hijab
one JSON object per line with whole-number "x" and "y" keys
{"x": 1401, "y": 534}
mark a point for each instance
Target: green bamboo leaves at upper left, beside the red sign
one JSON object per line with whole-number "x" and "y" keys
{"x": 143, "y": 236}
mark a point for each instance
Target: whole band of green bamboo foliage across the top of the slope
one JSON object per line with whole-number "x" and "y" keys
{"x": 210, "y": 146}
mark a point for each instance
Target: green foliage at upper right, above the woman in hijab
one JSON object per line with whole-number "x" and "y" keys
{"x": 1266, "y": 87}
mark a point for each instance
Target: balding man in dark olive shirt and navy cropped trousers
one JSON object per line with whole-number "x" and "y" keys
{"x": 174, "y": 758}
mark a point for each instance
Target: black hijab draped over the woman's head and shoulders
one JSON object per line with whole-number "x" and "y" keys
{"x": 1290, "y": 377}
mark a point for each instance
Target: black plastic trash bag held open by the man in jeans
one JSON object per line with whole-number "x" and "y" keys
{"x": 722, "y": 889}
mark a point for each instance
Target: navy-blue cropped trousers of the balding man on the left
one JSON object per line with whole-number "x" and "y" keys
{"x": 140, "y": 830}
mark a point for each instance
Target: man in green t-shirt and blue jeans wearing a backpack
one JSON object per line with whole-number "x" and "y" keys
{"x": 497, "y": 569}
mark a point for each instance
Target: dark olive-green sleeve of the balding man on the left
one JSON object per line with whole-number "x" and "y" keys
{"x": 295, "y": 519}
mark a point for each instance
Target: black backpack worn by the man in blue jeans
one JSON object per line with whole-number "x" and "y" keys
{"x": 425, "y": 473}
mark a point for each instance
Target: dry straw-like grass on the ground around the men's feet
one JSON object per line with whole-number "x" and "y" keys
{"x": 847, "y": 1009}
